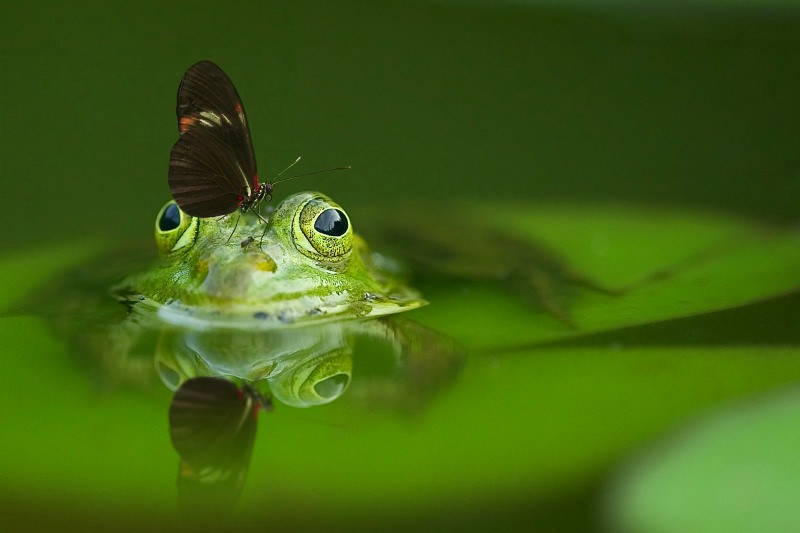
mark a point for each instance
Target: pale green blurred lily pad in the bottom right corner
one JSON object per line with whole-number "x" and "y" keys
{"x": 734, "y": 470}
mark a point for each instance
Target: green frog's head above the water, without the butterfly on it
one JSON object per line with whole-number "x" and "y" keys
{"x": 304, "y": 265}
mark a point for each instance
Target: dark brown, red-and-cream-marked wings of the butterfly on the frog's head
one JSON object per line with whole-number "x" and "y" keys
{"x": 212, "y": 165}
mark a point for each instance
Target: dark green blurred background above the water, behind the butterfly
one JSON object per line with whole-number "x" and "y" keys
{"x": 679, "y": 105}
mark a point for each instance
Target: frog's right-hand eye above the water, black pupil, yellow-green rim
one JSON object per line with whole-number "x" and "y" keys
{"x": 322, "y": 230}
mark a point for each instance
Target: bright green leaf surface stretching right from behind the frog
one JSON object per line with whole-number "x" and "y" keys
{"x": 666, "y": 263}
